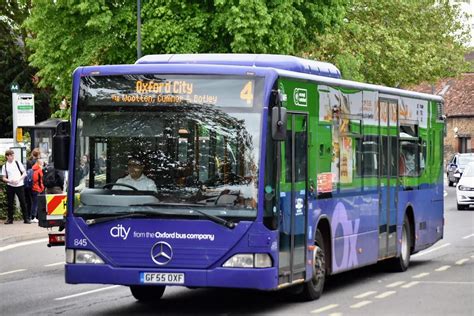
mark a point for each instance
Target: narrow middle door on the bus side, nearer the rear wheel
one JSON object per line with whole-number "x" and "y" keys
{"x": 388, "y": 178}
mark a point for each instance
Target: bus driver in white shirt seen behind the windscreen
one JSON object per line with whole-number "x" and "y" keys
{"x": 136, "y": 178}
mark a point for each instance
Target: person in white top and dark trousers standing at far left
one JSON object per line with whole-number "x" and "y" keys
{"x": 13, "y": 174}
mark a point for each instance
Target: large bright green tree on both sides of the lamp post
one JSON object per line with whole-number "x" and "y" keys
{"x": 68, "y": 34}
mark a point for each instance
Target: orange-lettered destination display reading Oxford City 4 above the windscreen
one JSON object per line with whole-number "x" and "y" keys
{"x": 223, "y": 91}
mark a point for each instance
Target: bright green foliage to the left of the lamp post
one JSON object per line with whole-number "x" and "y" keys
{"x": 67, "y": 34}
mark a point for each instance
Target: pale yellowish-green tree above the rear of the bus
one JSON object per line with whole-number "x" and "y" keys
{"x": 396, "y": 43}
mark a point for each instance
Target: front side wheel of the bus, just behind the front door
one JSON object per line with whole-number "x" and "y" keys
{"x": 313, "y": 288}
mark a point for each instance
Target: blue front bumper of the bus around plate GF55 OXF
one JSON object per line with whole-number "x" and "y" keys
{"x": 261, "y": 279}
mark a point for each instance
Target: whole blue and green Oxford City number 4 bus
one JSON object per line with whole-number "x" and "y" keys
{"x": 267, "y": 172}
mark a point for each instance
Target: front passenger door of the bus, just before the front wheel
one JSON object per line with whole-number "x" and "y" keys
{"x": 293, "y": 200}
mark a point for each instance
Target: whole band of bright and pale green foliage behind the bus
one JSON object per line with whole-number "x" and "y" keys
{"x": 394, "y": 43}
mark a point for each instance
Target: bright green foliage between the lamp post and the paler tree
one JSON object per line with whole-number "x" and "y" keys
{"x": 237, "y": 26}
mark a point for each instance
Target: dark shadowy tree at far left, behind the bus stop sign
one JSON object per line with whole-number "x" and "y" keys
{"x": 14, "y": 65}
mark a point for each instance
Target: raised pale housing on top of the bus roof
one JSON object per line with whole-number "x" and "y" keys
{"x": 283, "y": 62}
